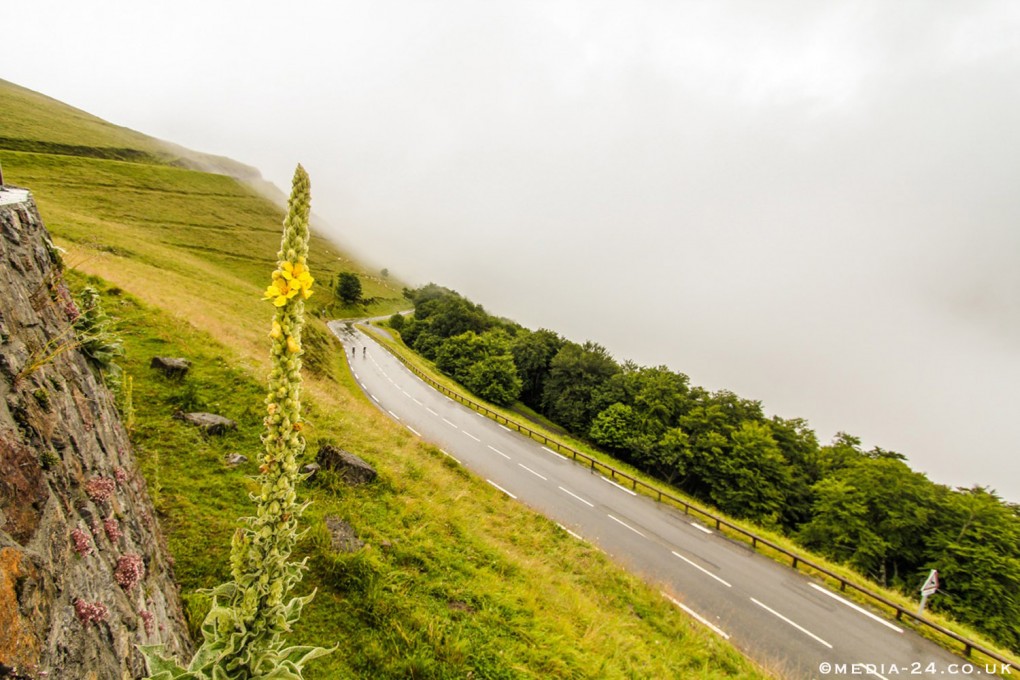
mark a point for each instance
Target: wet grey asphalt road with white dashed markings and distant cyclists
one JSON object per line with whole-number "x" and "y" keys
{"x": 779, "y": 617}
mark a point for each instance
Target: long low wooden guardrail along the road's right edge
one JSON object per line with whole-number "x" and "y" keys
{"x": 797, "y": 561}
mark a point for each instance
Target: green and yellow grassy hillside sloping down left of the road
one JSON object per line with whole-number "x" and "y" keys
{"x": 457, "y": 582}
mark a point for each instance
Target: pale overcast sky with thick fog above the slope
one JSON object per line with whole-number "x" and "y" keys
{"x": 813, "y": 204}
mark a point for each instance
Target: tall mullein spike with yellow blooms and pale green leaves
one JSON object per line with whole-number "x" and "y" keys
{"x": 243, "y": 635}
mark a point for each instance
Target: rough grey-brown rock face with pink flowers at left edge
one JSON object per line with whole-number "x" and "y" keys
{"x": 85, "y": 576}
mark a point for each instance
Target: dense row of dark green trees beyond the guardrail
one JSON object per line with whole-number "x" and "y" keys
{"x": 868, "y": 509}
